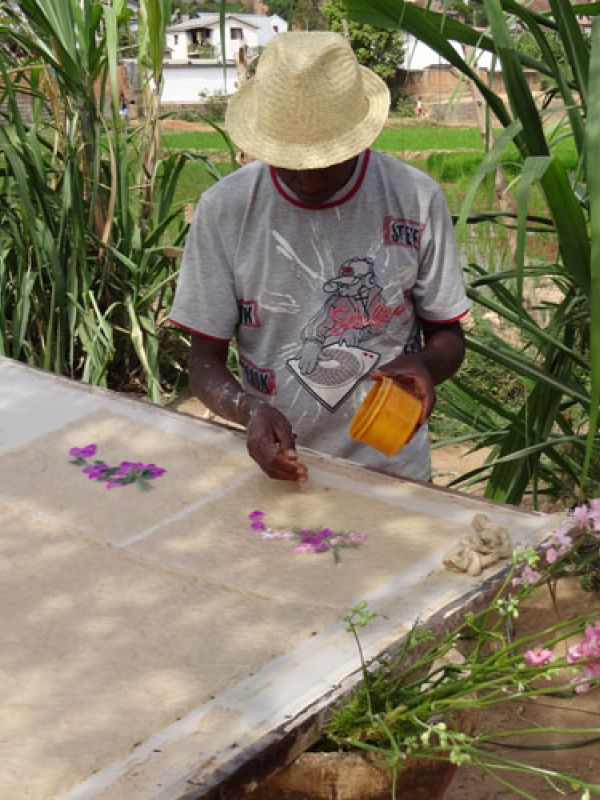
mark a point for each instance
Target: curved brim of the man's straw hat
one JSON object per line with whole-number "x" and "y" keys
{"x": 240, "y": 122}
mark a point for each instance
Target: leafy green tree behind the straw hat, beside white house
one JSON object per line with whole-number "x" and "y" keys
{"x": 380, "y": 50}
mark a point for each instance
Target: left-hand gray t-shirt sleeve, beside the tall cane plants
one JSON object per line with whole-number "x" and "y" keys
{"x": 205, "y": 299}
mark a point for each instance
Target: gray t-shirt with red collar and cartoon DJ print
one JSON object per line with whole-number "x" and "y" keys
{"x": 317, "y": 298}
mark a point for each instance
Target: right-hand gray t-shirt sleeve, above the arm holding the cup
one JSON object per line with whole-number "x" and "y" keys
{"x": 439, "y": 292}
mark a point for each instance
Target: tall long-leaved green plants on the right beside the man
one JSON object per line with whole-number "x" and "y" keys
{"x": 550, "y": 443}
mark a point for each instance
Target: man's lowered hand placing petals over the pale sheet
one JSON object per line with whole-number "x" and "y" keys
{"x": 271, "y": 444}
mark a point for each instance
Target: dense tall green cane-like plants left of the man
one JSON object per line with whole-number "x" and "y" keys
{"x": 86, "y": 200}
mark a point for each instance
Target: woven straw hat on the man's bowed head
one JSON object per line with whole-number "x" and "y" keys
{"x": 310, "y": 104}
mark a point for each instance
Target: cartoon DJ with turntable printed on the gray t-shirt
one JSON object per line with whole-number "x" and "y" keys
{"x": 333, "y": 358}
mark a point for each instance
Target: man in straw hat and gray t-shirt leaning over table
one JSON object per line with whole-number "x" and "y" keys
{"x": 327, "y": 262}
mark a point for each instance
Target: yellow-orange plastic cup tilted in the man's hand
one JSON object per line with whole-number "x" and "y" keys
{"x": 387, "y": 417}
